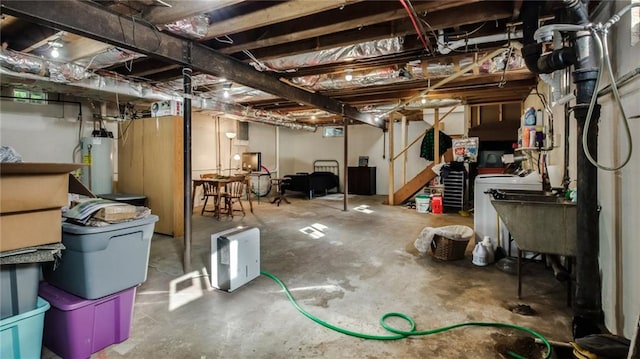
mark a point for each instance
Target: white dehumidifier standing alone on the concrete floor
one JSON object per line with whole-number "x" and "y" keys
{"x": 235, "y": 257}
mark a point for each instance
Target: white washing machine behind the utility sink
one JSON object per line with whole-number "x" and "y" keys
{"x": 485, "y": 217}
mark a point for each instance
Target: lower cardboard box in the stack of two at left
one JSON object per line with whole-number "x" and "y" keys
{"x": 30, "y": 229}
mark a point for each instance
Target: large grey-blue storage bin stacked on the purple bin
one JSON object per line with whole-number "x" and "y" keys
{"x": 99, "y": 261}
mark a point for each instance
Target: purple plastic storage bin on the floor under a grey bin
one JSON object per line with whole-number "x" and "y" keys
{"x": 75, "y": 327}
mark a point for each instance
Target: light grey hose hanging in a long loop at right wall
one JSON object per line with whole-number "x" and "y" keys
{"x": 604, "y": 57}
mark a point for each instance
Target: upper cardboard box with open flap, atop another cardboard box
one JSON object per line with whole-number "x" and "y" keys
{"x": 34, "y": 186}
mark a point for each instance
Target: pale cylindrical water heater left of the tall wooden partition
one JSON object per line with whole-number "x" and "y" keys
{"x": 97, "y": 155}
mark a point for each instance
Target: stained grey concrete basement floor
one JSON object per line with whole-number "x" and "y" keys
{"x": 362, "y": 266}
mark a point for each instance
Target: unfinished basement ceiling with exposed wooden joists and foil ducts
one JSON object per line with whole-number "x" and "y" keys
{"x": 284, "y": 60}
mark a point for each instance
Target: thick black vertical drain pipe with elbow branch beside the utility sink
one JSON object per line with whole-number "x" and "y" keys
{"x": 587, "y": 306}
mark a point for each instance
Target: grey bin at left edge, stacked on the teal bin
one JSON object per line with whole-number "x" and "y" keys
{"x": 18, "y": 288}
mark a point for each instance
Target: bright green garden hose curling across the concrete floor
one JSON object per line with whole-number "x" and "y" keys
{"x": 401, "y": 334}
